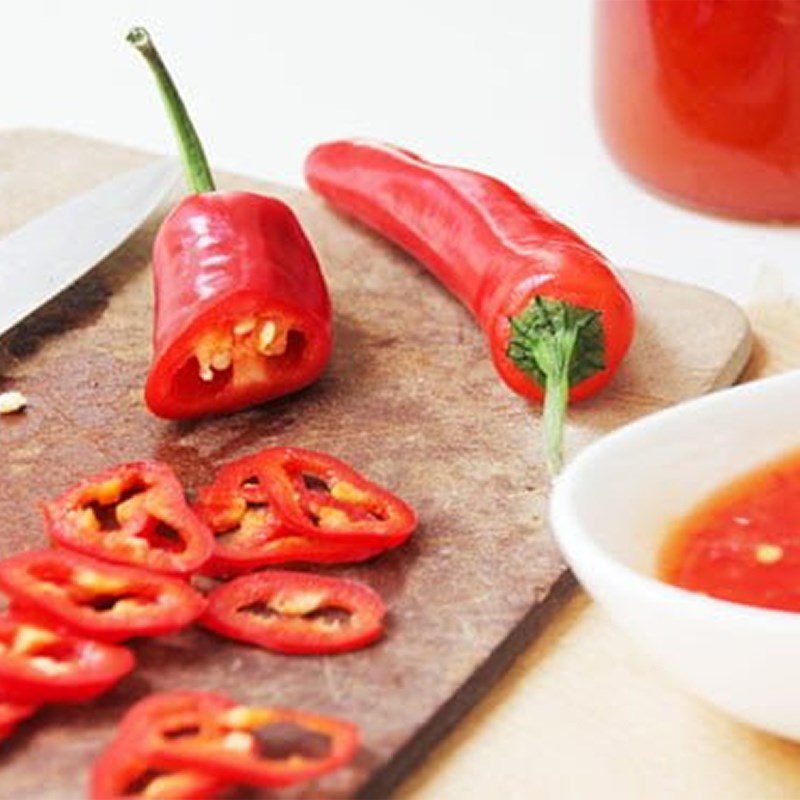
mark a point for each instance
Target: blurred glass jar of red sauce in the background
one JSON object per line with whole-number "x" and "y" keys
{"x": 700, "y": 100}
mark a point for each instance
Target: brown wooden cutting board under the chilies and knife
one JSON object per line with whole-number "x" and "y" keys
{"x": 410, "y": 398}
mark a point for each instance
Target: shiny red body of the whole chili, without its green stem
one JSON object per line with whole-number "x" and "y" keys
{"x": 487, "y": 244}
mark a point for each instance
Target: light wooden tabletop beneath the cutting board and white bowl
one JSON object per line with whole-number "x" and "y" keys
{"x": 583, "y": 714}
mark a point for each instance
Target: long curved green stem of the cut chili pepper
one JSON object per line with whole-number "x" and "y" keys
{"x": 195, "y": 163}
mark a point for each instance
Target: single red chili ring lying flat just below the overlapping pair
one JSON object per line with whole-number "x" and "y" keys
{"x": 295, "y": 612}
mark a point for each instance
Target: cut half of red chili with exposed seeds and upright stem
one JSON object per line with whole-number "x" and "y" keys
{"x": 242, "y": 313}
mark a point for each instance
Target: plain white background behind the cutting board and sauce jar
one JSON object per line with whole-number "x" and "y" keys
{"x": 497, "y": 85}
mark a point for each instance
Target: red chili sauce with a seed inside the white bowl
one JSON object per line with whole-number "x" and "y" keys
{"x": 743, "y": 543}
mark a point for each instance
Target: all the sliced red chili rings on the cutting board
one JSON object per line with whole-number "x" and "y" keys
{"x": 128, "y": 546}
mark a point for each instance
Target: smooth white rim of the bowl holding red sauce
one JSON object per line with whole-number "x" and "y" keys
{"x": 578, "y": 545}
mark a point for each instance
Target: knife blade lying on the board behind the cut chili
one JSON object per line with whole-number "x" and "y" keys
{"x": 49, "y": 253}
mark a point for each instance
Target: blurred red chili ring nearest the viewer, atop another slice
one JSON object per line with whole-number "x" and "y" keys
{"x": 270, "y": 747}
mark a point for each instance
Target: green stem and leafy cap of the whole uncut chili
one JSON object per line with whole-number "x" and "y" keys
{"x": 558, "y": 345}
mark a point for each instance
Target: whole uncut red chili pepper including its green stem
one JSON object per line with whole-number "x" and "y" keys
{"x": 557, "y": 317}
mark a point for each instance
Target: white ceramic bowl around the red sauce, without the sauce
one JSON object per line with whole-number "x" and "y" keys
{"x": 611, "y": 509}
